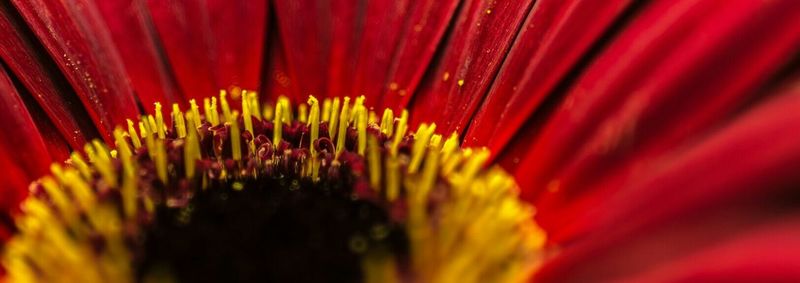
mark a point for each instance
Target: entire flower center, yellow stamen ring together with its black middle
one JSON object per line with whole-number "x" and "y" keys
{"x": 259, "y": 193}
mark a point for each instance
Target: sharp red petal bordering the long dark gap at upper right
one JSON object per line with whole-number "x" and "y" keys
{"x": 554, "y": 37}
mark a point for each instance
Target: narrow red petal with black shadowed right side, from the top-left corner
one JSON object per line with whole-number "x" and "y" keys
{"x": 30, "y": 64}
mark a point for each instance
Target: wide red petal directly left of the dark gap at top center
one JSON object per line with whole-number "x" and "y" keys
{"x": 213, "y": 44}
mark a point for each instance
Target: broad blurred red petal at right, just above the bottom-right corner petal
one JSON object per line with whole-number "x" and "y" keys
{"x": 687, "y": 186}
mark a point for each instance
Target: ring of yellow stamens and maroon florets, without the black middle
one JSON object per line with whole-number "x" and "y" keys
{"x": 90, "y": 219}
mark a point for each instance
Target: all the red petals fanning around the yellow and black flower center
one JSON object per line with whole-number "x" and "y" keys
{"x": 658, "y": 140}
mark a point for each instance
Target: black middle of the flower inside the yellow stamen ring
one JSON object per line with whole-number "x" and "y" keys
{"x": 272, "y": 229}
